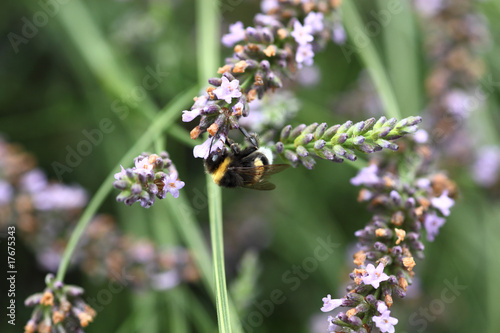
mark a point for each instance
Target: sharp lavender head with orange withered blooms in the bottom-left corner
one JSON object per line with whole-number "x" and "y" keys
{"x": 60, "y": 308}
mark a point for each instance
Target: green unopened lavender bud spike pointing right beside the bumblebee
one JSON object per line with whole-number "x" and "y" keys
{"x": 302, "y": 143}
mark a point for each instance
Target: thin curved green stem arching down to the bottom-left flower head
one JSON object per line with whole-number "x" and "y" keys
{"x": 158, "y": 125}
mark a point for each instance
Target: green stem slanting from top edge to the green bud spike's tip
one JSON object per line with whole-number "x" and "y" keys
{"x": 368, "y": 54}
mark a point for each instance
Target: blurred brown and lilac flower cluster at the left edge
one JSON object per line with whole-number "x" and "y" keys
{"x": 42, "y": 210}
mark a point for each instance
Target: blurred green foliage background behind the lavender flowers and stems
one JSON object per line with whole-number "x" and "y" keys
{"x": 81, "y": 66}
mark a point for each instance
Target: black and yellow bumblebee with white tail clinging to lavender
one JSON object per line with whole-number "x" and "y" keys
{"x": 249, "y": 168}
